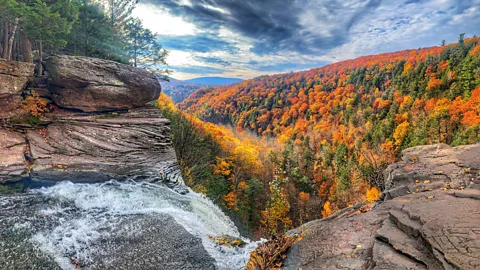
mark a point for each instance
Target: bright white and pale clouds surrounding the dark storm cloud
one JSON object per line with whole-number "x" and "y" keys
{"x": 392, "y": 26}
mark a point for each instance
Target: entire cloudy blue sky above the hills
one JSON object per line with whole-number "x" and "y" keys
{"x": 249, "y": 38}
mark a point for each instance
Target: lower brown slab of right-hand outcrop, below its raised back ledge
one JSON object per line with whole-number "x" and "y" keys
{"x": 413, "y": 230}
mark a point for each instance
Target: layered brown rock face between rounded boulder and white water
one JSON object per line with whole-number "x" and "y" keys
{"x": 96, "y": 148}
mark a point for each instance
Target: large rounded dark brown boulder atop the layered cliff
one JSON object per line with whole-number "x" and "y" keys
{"x": 93, "y": 85}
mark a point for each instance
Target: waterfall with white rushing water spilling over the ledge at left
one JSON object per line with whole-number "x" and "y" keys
{"x": 85, "y": 216}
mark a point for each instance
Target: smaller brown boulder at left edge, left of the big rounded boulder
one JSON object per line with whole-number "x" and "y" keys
{"x": 14, "y": 76}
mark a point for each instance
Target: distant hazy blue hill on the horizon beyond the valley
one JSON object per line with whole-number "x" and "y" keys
{"x": 179, "y": 90}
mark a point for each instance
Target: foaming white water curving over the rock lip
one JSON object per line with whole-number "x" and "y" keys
{"x": 101, "y": 206}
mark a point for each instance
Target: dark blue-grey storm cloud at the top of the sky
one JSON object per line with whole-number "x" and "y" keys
{"x": 276, "y": 25}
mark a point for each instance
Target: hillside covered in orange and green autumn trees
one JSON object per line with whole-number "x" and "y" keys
{"x": 336, "y": 128}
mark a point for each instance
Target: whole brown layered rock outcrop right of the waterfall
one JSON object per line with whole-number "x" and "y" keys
{"x": 430, "y": 219}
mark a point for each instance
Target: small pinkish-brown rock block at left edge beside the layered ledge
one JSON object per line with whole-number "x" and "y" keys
{"x": 12, "y": 162}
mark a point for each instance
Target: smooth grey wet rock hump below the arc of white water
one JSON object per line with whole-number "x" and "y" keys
{"x": 158, "y": 242}
